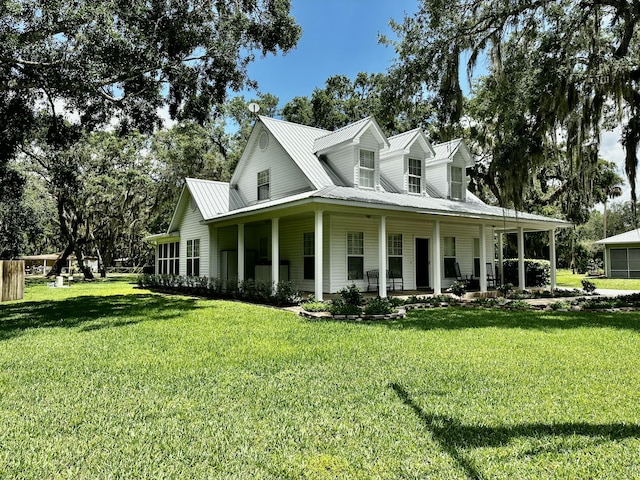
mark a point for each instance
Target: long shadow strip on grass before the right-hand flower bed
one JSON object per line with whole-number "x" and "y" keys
{"x": 453, "y": 318}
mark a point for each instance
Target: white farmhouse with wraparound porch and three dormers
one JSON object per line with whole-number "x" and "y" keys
{"x": 329, "y": 209}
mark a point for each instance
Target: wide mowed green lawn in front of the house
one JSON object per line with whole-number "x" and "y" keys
{"x": 107, "y": 381}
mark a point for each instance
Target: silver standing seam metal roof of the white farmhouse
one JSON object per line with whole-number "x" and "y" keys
{"x": 217, "y": 201}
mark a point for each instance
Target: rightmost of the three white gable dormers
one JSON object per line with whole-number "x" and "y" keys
{"x": 447, "y": 170}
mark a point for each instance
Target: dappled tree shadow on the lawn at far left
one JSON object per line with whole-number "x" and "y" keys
{"x": 90, "y": 312}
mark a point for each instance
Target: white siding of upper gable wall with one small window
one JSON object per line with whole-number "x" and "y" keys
{"x": 285, "y": 176}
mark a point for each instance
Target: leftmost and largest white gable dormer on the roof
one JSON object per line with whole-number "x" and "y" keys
{"x": 354, "y": 153}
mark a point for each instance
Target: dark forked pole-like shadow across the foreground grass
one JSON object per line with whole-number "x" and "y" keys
{"x": 453, "y": 437}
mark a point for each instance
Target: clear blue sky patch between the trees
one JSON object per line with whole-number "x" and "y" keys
{"x": 338, "y": 37}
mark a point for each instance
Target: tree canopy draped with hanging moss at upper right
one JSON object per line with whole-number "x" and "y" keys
{"x": 558, "y": 72}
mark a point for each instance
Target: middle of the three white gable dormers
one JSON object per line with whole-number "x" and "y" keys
{"x": 404, "y": 162}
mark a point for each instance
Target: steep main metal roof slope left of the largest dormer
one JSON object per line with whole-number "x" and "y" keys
{"x": 297, "y": 140}
